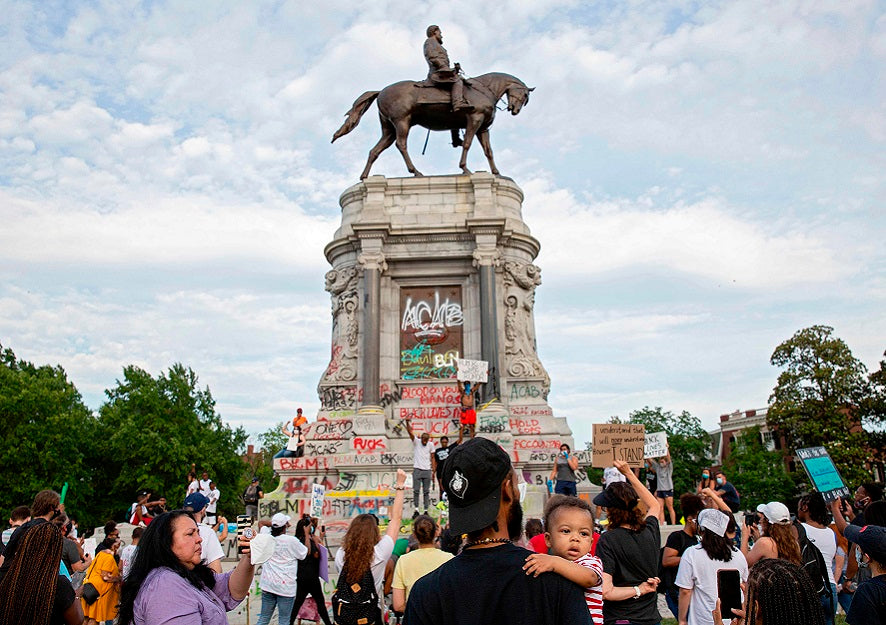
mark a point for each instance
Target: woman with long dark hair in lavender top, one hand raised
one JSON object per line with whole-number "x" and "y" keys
{"x": 169, "y": 583}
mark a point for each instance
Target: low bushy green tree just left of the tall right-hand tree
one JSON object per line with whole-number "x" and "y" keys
{"x": 757, "y": 474}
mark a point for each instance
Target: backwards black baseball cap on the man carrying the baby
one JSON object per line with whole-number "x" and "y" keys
{"x": 472, "y": 478}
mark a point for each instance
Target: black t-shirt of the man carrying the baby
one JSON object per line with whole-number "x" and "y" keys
{"x": 489, "y": 586}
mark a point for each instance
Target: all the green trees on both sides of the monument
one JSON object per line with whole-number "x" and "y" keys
{"x": 150, "y": 429}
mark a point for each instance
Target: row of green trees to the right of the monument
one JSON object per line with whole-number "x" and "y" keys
{"x": 824, "y": 396}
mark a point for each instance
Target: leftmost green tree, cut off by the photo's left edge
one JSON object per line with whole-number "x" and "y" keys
{"x": 49, "y": 435}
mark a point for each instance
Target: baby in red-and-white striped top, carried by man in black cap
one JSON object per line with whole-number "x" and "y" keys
{"x": 569, "y": 534}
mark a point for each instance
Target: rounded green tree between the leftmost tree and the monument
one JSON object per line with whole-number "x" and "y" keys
{"x": 152, "y": 429}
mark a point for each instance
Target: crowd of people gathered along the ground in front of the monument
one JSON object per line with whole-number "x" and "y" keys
{"x": 599, "y": 562}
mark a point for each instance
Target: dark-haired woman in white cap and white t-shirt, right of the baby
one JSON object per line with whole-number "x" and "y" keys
{"x": 697, "y": 576}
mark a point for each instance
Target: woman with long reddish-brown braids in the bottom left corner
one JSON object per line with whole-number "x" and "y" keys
{"x": 33, "y": 591}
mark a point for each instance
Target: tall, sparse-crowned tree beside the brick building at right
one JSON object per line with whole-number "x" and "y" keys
{"x": 823, "y": 397}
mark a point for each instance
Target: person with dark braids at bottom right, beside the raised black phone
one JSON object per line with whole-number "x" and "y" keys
{"x": 779, "y": 593}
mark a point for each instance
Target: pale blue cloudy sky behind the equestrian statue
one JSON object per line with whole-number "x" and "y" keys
{"x": 705, "y": 178}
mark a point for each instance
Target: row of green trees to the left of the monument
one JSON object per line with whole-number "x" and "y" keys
{"x": 145, "y": 435}
